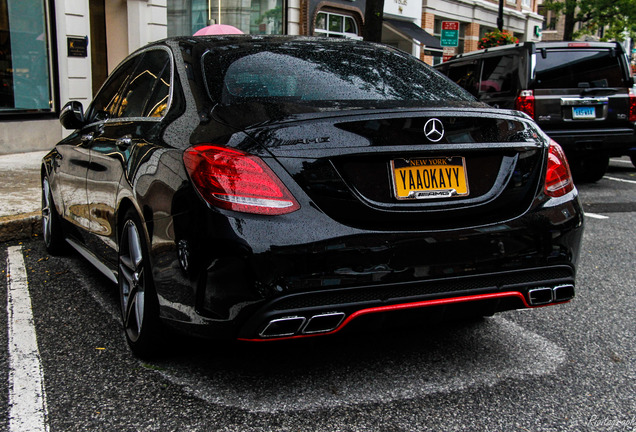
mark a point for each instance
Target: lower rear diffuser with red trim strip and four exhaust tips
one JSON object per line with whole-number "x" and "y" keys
{"x": 328, "y": 312}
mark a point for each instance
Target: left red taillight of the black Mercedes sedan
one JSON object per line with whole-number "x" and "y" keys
{"x": 234, "y": 180}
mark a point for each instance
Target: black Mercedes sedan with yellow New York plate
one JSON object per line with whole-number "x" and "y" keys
{"x": 263, "y": 188}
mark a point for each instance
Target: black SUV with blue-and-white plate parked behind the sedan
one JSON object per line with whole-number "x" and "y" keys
{"x": 579, "y": 93}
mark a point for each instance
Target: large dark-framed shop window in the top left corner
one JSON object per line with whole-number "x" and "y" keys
{"x": 25, "y": 64}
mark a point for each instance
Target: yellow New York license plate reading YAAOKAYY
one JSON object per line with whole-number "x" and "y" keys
{"x": 426, "y": 178}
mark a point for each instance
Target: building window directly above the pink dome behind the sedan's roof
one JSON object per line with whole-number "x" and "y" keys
{"x": 186, "y": 17}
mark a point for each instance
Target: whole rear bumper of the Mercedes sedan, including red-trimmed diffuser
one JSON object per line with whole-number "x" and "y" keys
{"x": 312, "y": 275}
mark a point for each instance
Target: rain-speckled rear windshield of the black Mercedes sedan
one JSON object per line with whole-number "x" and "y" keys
{"x": 322, "y": 73}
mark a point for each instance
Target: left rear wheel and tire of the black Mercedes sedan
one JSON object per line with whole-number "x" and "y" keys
{"x": 138, "y": 299}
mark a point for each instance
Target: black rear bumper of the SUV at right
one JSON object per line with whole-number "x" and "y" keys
{"x": 613, "y": 141}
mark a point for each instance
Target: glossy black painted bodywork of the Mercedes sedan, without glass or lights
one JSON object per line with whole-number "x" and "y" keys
{"x": 220, "y": 273}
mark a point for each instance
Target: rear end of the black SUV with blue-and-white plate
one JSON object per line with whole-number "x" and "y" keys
{"x": 581, "y": 94}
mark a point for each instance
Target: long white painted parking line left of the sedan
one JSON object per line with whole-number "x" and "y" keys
{"x": 27, "y": 399}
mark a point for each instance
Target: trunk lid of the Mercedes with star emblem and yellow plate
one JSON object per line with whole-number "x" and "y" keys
{"x": 461, "y": 167}
